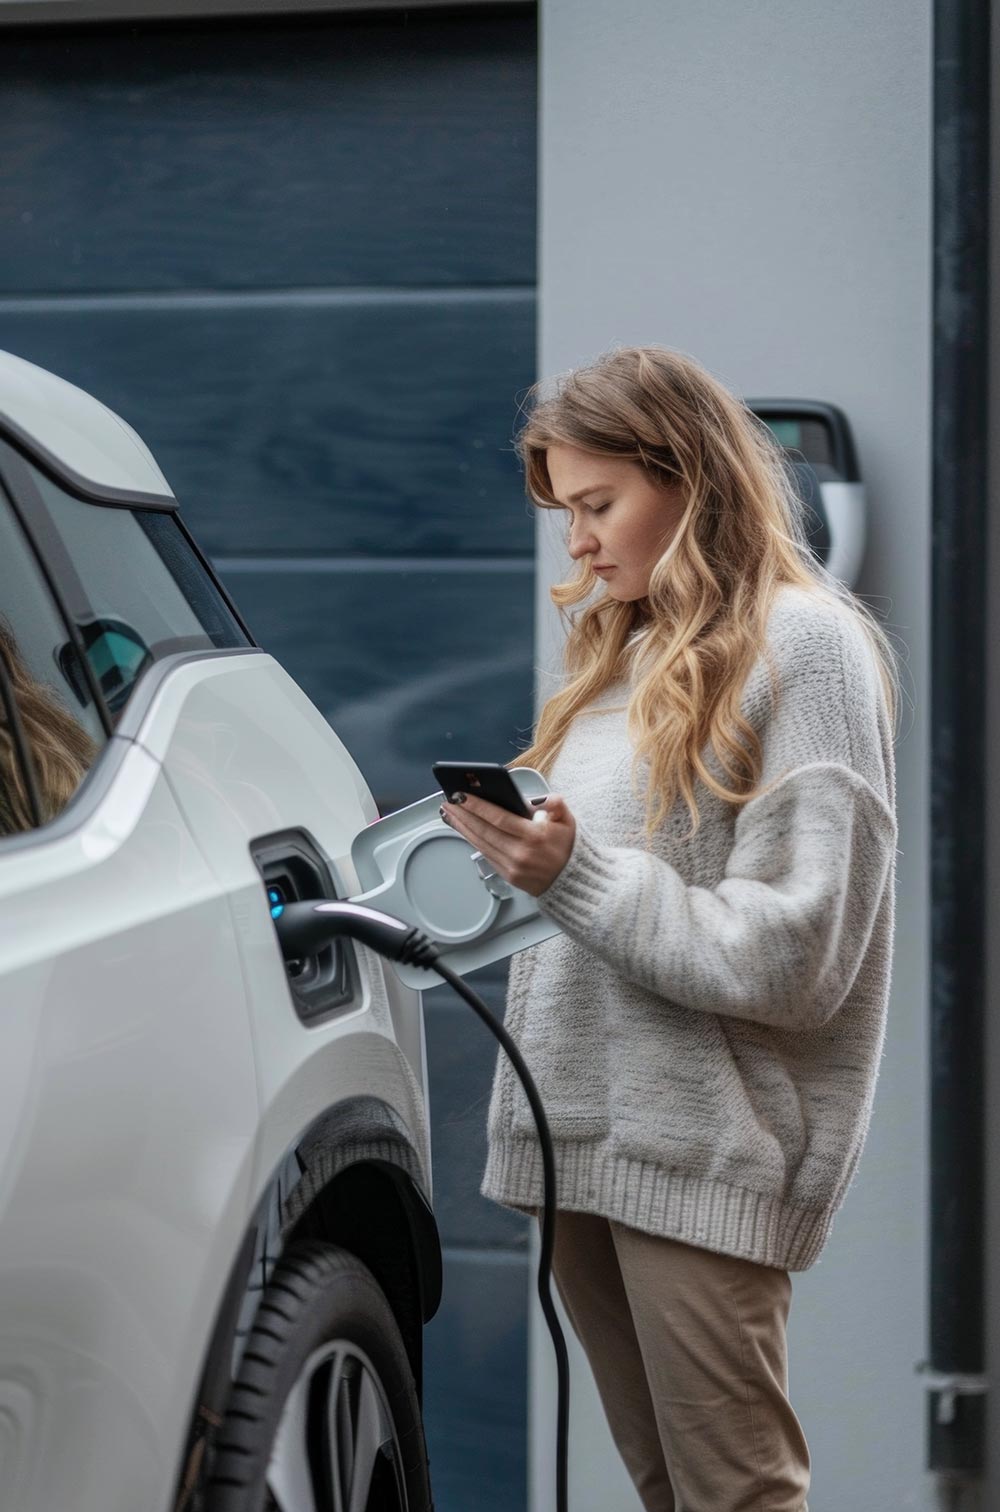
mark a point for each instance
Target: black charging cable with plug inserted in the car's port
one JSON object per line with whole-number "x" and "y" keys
{"x": 305, "y": 929}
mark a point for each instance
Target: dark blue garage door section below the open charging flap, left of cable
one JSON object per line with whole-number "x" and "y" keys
{"x": 461, "y": 1061}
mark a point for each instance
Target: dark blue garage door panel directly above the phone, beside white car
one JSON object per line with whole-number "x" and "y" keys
{"x": 409, "y": 666}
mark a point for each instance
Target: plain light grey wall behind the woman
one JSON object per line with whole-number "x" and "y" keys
{"x": 751, "y": 184}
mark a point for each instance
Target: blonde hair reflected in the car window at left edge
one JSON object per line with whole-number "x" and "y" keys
{"x": 61, "y": 749}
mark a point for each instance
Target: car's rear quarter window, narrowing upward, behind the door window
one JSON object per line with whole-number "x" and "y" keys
{"x": 149, "y": 595}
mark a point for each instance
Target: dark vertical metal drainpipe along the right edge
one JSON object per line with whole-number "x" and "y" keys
{"x": 957, "y": 1404}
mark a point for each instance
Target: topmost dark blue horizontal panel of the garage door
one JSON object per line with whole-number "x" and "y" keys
{"x": 344, "y": 152}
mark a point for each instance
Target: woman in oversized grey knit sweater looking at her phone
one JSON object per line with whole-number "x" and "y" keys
{"x": 707, "y": 1027}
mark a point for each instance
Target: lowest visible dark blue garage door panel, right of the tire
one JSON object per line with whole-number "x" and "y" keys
{"x": 474, "y": 1393}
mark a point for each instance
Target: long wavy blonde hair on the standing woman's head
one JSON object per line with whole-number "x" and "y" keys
{"x": 742, "y": 536}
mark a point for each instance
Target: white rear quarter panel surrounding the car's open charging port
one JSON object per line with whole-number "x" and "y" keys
{"x": 249, "y": 754}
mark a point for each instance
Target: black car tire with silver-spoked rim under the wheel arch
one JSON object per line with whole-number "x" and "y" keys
{"x": 325, "y": 1390}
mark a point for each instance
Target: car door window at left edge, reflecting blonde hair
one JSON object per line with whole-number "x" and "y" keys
{"x": 49, "y": 740}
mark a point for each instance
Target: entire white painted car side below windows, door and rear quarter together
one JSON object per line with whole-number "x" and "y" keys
{"x": 140, "y": 1130}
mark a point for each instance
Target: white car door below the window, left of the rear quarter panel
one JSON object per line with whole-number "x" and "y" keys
{"x": 129, "y": 1120}
